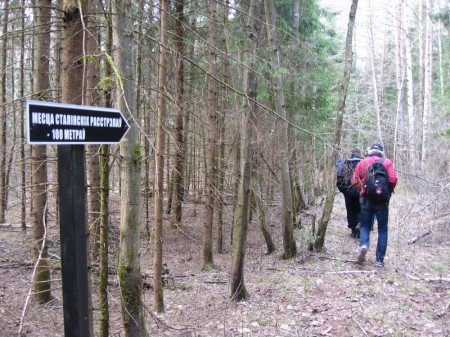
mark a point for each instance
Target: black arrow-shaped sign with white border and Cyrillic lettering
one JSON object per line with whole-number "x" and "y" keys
{"x": 57, "y": 123}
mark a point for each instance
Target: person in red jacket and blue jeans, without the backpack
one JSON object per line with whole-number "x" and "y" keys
{"x": 368, "y": 209}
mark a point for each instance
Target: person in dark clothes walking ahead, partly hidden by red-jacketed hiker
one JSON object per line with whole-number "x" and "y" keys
{"x": 351, "y": 195}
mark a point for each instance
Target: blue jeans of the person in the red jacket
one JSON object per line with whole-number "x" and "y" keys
{"x": 382, "y": 213}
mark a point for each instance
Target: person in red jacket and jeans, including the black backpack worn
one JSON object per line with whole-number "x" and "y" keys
{"x": 375, "y": 177}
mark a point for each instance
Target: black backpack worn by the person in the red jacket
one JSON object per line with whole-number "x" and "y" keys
{"x": 377, "y": 187}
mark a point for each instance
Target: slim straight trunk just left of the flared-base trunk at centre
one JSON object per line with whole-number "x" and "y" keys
{"x": 212, "y": 138}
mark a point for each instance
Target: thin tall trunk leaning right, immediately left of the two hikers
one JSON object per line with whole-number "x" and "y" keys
{"x": 330, "y": 171}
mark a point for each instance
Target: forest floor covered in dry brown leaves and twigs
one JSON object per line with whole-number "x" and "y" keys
{"x": 314, "y": 294}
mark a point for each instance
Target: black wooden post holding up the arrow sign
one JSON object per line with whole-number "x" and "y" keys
{"x": 72, "y": 208}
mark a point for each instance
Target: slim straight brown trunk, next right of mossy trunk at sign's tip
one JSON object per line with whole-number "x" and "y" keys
{"x": 159, "y": 159}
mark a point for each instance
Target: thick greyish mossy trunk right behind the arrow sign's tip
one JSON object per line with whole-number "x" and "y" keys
{"x": 129, "y": 268}
